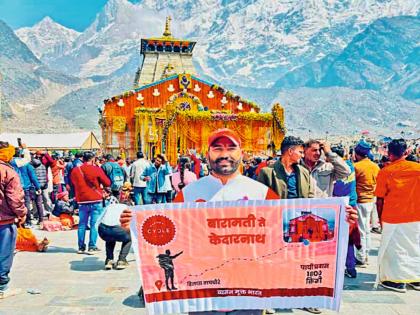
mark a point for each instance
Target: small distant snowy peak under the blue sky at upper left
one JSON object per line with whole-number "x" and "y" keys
{"x": 47, "y": 39}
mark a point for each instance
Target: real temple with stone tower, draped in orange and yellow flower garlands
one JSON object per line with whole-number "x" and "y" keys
{"x": 170, "y": 109}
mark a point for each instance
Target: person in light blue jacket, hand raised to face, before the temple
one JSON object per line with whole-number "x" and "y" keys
{"x": 154, "y": 175}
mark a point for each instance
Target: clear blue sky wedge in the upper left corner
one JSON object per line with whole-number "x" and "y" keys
{"x": 75, "y": 14}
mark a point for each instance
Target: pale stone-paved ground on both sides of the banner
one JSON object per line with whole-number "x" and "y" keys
{"x": 77, "y": 284}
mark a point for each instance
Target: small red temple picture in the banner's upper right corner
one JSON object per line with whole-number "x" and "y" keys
{"x": 308, "y": 226}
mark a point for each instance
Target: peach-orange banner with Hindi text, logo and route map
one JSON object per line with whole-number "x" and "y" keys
{"x": 241, "y": 255}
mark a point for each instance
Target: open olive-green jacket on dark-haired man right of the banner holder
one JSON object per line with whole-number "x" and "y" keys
{"x": 275, "y": 178}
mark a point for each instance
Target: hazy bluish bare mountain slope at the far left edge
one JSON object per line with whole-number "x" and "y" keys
{"x": 29, "y": 87}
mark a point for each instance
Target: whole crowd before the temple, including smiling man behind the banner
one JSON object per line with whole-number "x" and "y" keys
{"x": 97, "y": 188}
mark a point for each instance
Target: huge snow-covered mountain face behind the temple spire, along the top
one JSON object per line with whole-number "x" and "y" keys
{"x": 260, "y": 39}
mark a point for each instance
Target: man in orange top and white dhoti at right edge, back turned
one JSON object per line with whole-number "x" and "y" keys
{"x": 397, "y": 190}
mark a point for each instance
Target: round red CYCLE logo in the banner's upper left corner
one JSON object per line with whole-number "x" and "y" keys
{"x": 158, "y": 230}
